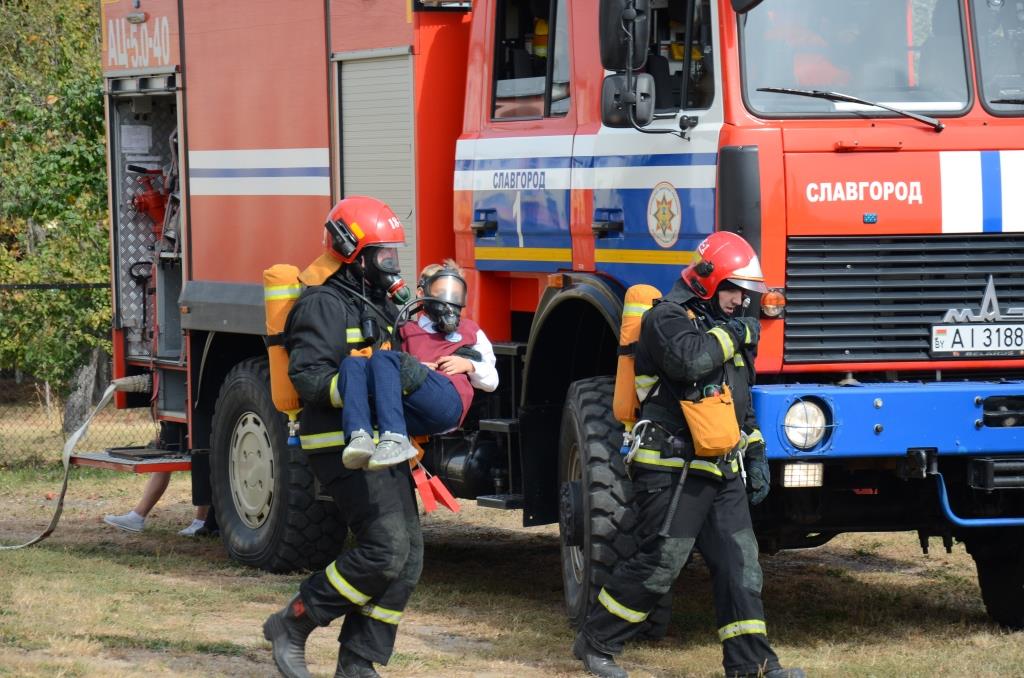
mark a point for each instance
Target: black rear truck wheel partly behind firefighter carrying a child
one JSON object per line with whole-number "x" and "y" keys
{"x": 264, "y": 489}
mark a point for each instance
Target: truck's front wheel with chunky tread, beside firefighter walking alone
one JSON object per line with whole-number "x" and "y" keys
{"x": 596, "y": 521}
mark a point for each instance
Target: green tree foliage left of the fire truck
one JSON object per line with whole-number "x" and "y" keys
{"x": 53, "y": 187}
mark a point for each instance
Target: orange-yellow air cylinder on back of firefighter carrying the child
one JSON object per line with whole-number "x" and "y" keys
{"x": 281, "y": 289}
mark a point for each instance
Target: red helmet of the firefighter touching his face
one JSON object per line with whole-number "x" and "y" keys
{"x": 724, "y": 257}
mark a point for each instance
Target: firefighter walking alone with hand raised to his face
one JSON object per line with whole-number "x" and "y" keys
{"x": 694, "y": 350}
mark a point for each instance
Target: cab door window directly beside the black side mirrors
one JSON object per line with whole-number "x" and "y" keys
{"x": 666, "y": 59}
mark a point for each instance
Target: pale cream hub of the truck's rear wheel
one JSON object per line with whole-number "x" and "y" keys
{"x": 251, "y": 471}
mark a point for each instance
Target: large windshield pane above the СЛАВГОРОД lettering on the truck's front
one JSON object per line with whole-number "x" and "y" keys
{"x": 909, "y": 55}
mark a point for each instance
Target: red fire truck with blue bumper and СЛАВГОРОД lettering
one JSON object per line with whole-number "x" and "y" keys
{"x": 563, "y": 151}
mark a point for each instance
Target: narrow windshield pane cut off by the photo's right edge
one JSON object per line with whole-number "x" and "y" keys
{"x": 999, "y": 30}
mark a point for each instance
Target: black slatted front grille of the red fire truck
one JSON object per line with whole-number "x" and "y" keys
{"x": 875, "y": 299}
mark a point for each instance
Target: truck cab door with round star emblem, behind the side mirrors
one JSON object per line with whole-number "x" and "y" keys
{"x": 654, "y": 195}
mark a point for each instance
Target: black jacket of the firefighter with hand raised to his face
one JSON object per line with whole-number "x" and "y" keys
{"x": 681, "y": 351}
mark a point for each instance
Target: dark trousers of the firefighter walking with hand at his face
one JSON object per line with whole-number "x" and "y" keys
{"x": 714, "y": 517}
